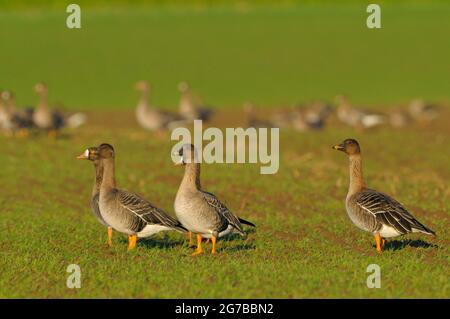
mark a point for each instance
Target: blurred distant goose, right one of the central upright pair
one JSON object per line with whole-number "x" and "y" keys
{"x": 190, "y": 106}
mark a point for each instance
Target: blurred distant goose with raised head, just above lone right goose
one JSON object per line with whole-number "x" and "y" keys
{"x": 356, "y": 117}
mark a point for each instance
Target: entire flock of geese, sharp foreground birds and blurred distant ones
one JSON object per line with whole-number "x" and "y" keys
{"x": 199, "y": 212}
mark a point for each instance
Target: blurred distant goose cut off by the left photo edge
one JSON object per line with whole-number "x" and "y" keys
{"x": 12, "y": 120}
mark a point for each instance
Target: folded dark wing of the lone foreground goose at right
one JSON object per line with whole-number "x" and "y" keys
{"x": 390, "y": 212}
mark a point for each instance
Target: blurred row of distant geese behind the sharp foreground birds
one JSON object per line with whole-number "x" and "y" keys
{"x": 313, "y": 116}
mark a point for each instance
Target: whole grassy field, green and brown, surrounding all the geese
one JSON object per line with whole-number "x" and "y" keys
{"x": 304, "y": 246}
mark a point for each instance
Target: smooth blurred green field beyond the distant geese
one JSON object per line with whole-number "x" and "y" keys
{"x": 230, "y": 51}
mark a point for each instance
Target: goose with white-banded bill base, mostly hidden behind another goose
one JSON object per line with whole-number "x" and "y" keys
{"x": 91, "y": 154}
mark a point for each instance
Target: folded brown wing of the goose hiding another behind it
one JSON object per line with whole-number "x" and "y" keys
{"x": 146, "y": 211}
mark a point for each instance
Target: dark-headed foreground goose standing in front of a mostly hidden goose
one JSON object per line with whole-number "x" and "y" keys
{"x": 127, "y": 212}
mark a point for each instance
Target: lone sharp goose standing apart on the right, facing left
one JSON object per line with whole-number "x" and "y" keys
{"x": 373, "y": 211}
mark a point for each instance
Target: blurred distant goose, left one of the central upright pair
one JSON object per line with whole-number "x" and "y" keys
{"x": 148, "y": 116}
